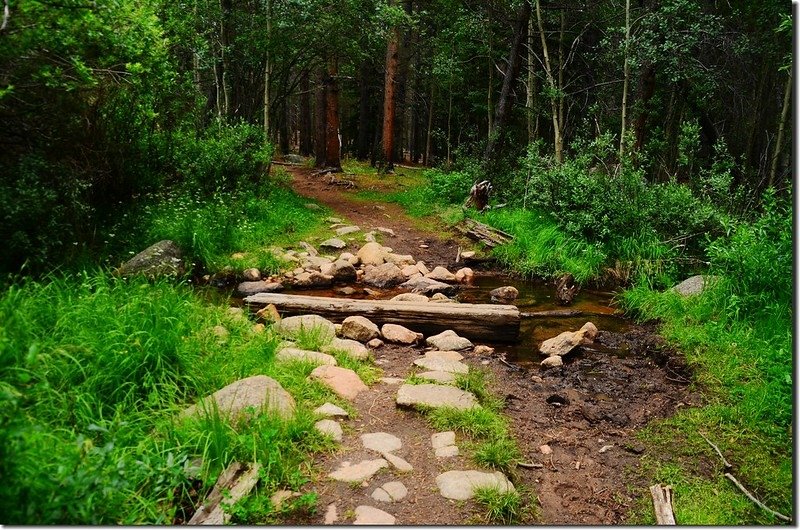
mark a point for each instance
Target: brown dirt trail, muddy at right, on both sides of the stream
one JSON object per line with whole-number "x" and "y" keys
{"x": 586, "y": 412}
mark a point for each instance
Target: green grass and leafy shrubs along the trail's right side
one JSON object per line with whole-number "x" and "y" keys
{"x": 607, "y": 224}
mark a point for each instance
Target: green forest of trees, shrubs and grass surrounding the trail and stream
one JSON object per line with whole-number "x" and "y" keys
{"x": 631, "y": 144}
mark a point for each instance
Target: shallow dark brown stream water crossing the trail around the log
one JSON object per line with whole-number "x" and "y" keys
{"x": 534, "y": 295}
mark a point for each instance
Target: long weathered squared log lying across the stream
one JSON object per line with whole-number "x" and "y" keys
{"x": 492, "y": 322}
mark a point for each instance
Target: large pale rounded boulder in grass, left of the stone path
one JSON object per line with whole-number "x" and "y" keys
{"x": 257, "y": 392}
